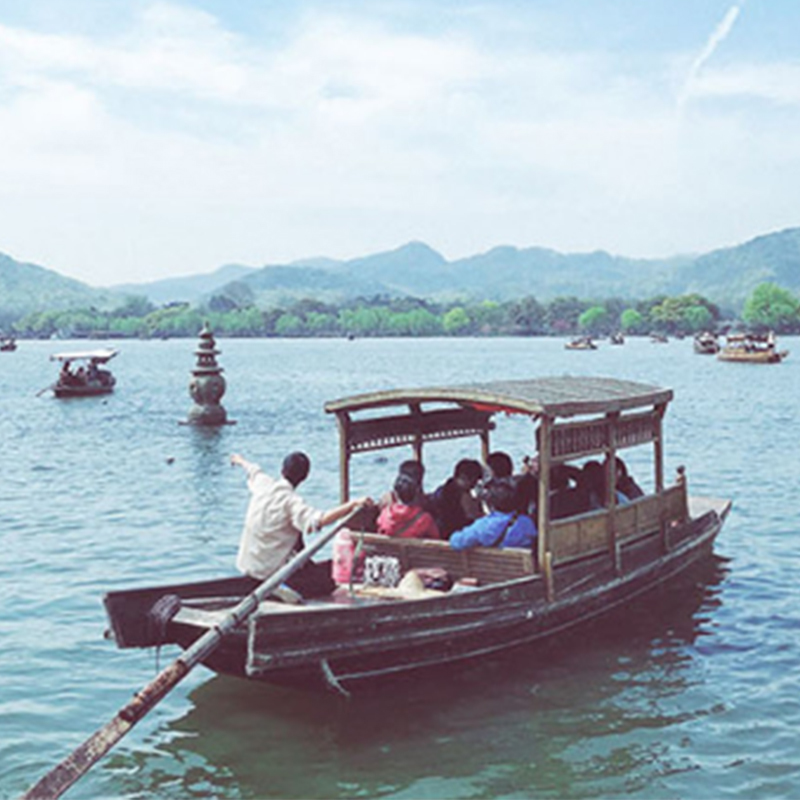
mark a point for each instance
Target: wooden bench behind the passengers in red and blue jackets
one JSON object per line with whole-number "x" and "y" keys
{"x": 485, "y": 564}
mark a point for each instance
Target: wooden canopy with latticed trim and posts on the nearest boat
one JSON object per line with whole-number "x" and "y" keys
{"x": 610, "y": 415}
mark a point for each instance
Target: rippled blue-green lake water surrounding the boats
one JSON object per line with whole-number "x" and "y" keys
{"x": 692, "y": 694}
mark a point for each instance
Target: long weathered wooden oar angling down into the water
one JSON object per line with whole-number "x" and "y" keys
{"x": 78, "y": 763}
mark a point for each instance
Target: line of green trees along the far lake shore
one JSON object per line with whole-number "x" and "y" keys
{"x": 768, "y": 307}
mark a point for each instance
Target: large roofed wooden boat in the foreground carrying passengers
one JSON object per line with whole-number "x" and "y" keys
{"x": 582, "y": 565}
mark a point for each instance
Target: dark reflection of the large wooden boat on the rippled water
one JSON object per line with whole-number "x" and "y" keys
{"x": 564, "y": 717}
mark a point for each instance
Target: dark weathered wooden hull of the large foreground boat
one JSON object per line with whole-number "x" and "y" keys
{"x": 352, "y": 642}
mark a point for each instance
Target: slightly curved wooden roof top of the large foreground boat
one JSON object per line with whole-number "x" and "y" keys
{"x": 563, "y": 396}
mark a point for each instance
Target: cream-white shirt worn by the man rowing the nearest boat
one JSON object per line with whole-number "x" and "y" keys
{"x": 276, "y": 518}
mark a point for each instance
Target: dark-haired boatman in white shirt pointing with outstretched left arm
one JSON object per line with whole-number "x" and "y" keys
{"x": 276, "y": 519}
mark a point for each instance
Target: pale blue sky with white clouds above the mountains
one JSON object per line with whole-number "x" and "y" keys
{"x": 147, "y": 140}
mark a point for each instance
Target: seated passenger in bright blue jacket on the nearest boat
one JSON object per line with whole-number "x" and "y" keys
{"x": 502, "y": 526}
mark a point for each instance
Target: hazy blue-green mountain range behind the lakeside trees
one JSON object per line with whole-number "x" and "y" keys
{"x": 724, "y": 276}
